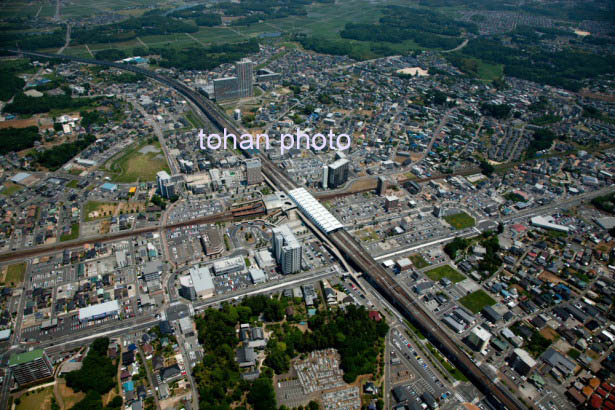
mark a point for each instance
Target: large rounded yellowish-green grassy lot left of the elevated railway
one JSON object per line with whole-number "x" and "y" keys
{"x": 135, "y": 166}
